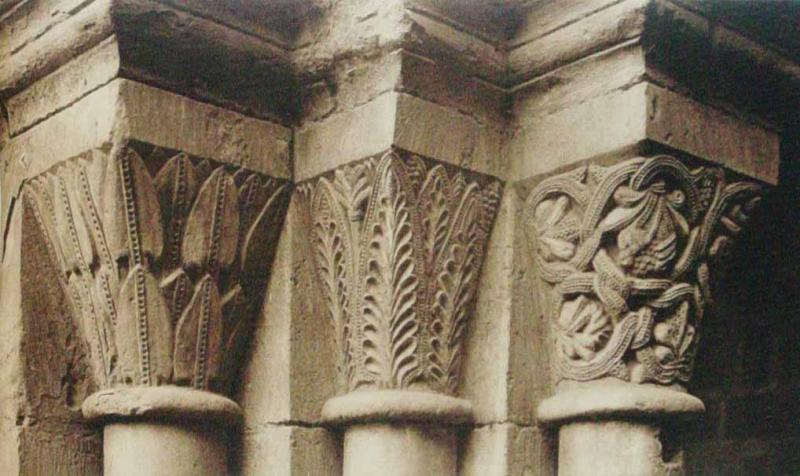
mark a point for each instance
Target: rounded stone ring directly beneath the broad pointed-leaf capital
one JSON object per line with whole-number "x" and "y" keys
{"x": 167, "y": 402}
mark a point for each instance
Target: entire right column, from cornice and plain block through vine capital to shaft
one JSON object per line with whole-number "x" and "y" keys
{"x": 639, "y": 158}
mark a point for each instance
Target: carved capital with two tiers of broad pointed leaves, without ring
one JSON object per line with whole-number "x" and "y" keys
{"x": 165, "y": 262}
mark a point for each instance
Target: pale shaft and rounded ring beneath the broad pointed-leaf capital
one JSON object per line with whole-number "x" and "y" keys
{"x": 164, "y": 430}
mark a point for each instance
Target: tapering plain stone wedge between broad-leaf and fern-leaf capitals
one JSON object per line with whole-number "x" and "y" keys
{"x": 285, "y": 383}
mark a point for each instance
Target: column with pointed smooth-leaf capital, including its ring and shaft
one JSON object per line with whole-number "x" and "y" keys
{"x": 164, "y": 259}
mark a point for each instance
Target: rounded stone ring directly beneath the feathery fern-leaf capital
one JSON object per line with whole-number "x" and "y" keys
{"x": 385, "y": 406}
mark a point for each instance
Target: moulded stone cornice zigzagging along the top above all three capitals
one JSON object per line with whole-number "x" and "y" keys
{"x": 273, "y": 50}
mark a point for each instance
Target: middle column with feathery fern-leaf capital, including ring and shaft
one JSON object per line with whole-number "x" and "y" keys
{"x": 399, "y": 242}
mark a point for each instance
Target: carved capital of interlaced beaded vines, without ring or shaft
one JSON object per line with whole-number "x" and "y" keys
{"x": 624, "y": 256}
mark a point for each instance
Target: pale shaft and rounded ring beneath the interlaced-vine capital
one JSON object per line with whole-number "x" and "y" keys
{"x": 618, "y": 429}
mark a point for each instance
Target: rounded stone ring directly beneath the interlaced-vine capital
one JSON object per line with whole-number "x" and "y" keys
{"x": 614, "y": 401}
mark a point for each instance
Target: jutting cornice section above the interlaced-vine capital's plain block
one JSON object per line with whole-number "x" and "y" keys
{"x": 684, "y": 47}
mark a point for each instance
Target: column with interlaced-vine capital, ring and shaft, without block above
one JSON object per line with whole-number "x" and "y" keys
{"x": 626, "y": 257}
